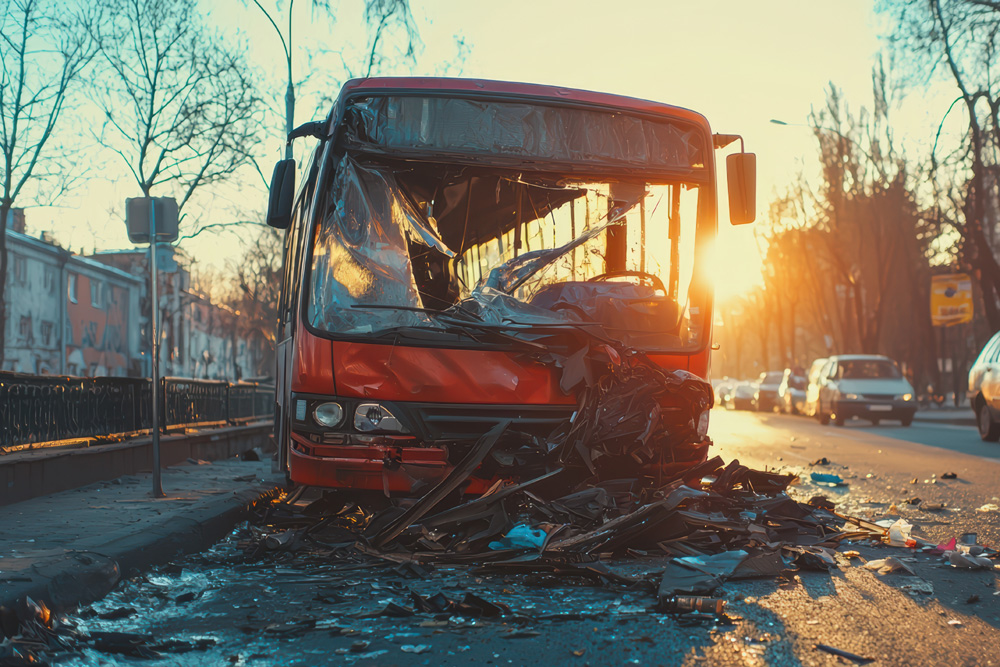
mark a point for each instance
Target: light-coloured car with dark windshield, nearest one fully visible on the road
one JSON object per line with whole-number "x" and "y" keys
{"x": 868, "y": 386}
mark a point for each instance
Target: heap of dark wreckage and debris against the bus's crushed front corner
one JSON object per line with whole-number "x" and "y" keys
{"x": 624, "y": 479}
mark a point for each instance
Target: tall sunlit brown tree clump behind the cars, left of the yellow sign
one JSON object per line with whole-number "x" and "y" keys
{"x": 849, "y": 257}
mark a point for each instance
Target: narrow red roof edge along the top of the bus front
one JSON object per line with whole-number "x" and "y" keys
{"x": 506, "y": 88}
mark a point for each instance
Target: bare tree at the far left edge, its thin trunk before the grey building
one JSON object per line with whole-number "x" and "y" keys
{"x": 41, "y": 60}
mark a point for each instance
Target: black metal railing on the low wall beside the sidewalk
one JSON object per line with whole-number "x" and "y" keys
{"x": 41, "y": 408}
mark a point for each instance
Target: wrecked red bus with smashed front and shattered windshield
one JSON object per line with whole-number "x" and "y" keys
{"x": 437, "y": 219}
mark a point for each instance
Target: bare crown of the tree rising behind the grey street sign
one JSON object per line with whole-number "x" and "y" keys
{"x": 180, "y": 107}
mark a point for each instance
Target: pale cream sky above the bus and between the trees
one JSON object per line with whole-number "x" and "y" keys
{"x": 739, "y": 63}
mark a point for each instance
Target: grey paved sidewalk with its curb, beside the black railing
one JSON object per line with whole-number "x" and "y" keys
{"x": 72, "y": 547}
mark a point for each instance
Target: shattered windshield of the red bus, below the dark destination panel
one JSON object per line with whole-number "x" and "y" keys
{"x": 413, "y": 250}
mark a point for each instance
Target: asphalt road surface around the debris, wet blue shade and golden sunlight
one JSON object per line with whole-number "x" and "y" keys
{"x": 303, "y": 613}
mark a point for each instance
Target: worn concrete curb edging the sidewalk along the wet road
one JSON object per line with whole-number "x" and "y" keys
{"x": 77, "y": 576}
